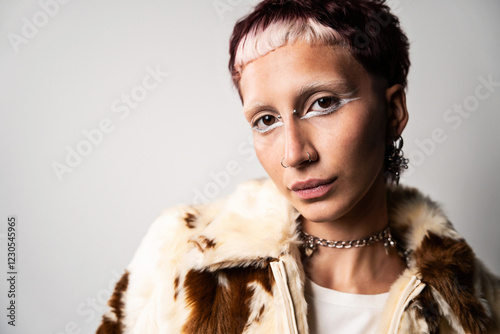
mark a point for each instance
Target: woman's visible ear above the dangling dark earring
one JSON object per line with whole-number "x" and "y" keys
{"x": 397, "y": 114}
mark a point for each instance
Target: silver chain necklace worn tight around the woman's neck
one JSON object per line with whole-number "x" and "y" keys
{"x": 311, "y": 242}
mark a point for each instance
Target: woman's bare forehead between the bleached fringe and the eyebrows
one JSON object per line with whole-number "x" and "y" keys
{"x": 288, "y": 69}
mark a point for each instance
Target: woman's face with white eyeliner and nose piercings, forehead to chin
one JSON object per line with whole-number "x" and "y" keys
{"x": 340, "y": 123}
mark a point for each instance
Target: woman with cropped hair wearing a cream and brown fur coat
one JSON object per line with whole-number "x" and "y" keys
{"x": 330, "y": 243}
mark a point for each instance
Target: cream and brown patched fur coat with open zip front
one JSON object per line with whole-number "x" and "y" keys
{"x": 234, "y": 266}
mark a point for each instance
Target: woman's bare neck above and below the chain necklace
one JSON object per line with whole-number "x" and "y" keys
{"x": 365, "y": 270}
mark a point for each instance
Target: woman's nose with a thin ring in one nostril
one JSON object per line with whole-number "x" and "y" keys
{"x": 297, "y": 144}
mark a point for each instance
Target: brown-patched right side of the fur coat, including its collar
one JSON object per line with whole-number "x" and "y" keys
{"x": 458, "y": 286}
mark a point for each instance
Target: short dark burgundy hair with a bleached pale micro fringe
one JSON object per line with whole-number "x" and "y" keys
{"x": 366, "y": 28}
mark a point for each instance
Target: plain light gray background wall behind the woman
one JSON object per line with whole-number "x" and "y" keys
{"x": 77, "y": 234}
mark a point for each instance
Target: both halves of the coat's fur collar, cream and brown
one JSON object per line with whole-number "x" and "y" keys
{"x": 257, "y": 222}
